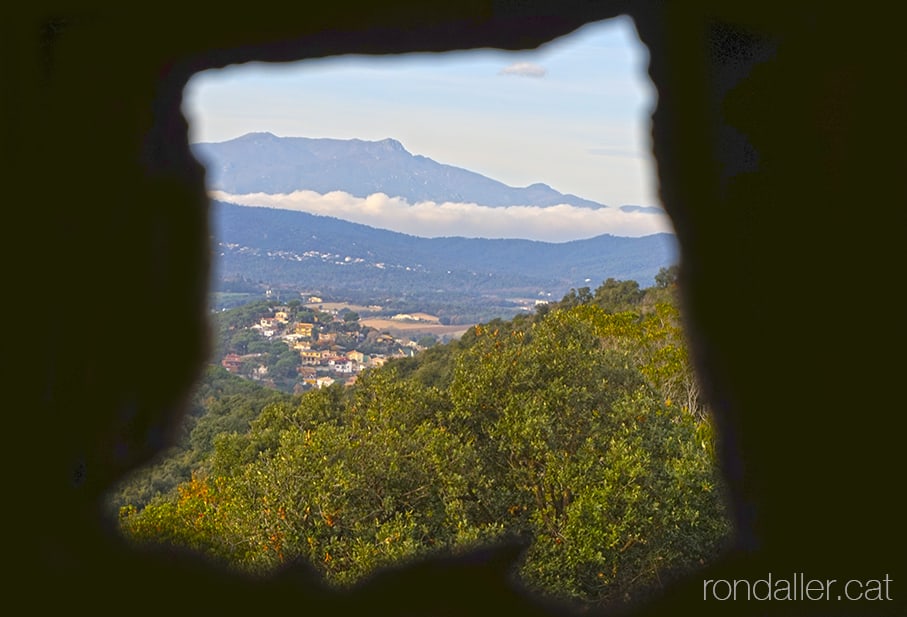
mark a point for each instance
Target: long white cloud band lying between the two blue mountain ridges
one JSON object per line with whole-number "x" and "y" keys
{"x": 558, "y": 223}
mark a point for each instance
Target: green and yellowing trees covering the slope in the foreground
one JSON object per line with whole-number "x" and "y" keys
{"x": 578, "y": 428}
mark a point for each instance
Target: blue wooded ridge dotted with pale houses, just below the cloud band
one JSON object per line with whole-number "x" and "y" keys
{"x": 296, "y": 248}
